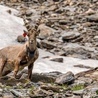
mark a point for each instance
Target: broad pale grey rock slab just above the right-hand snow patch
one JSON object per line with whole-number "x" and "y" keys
{"x": 76, "y": 50}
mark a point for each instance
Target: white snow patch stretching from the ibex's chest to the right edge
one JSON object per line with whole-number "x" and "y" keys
{"x": 45, "y": 65}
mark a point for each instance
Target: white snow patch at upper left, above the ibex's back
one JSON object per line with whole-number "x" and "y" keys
{"x": 10, "y": 26}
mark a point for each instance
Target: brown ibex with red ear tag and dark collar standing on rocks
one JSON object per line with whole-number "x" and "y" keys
{"x": 14, "y": 58}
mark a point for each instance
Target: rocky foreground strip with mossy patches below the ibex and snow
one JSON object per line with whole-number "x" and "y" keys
{"x": 52, "y": 85}
